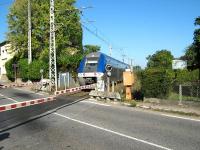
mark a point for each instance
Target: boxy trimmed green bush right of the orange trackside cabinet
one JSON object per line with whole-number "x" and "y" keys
{"x": 157, "y": 83}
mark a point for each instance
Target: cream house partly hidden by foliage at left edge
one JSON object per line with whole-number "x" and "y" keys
{"x": 5, "y": 54}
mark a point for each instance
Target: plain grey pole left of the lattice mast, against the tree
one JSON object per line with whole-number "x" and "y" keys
{"x": 29, "y": 33}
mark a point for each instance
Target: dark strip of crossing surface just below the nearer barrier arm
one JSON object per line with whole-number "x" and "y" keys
{"x": 17, "y": 117}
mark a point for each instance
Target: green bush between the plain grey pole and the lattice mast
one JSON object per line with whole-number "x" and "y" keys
{"x": 34, "y": 70}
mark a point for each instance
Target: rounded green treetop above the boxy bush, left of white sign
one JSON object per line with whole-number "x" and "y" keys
{"x": 161, "y": 59}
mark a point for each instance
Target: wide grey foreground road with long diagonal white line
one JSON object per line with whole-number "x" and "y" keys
{"x": 87, "y": 126}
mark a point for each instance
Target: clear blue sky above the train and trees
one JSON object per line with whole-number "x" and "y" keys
{"x": 135, "y": 28}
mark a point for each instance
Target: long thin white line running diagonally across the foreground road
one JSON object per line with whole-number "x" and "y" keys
{"x": 113, "y": 132}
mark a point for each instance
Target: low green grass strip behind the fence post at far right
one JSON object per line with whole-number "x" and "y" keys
{"x": 175, "y": 97}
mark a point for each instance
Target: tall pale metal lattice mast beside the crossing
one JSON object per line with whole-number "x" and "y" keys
{"x": 52, "y": 50}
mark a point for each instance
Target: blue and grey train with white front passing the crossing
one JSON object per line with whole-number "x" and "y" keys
{"x": 92, "y": 69}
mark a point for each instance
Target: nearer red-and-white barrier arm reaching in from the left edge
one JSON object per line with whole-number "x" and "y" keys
{"x": 25, "y": 103}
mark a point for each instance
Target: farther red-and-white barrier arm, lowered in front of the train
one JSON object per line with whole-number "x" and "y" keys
{"x": 76, "y": 89}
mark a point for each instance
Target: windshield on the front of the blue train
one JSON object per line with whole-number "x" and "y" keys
{"x": 91, "y": 65}
